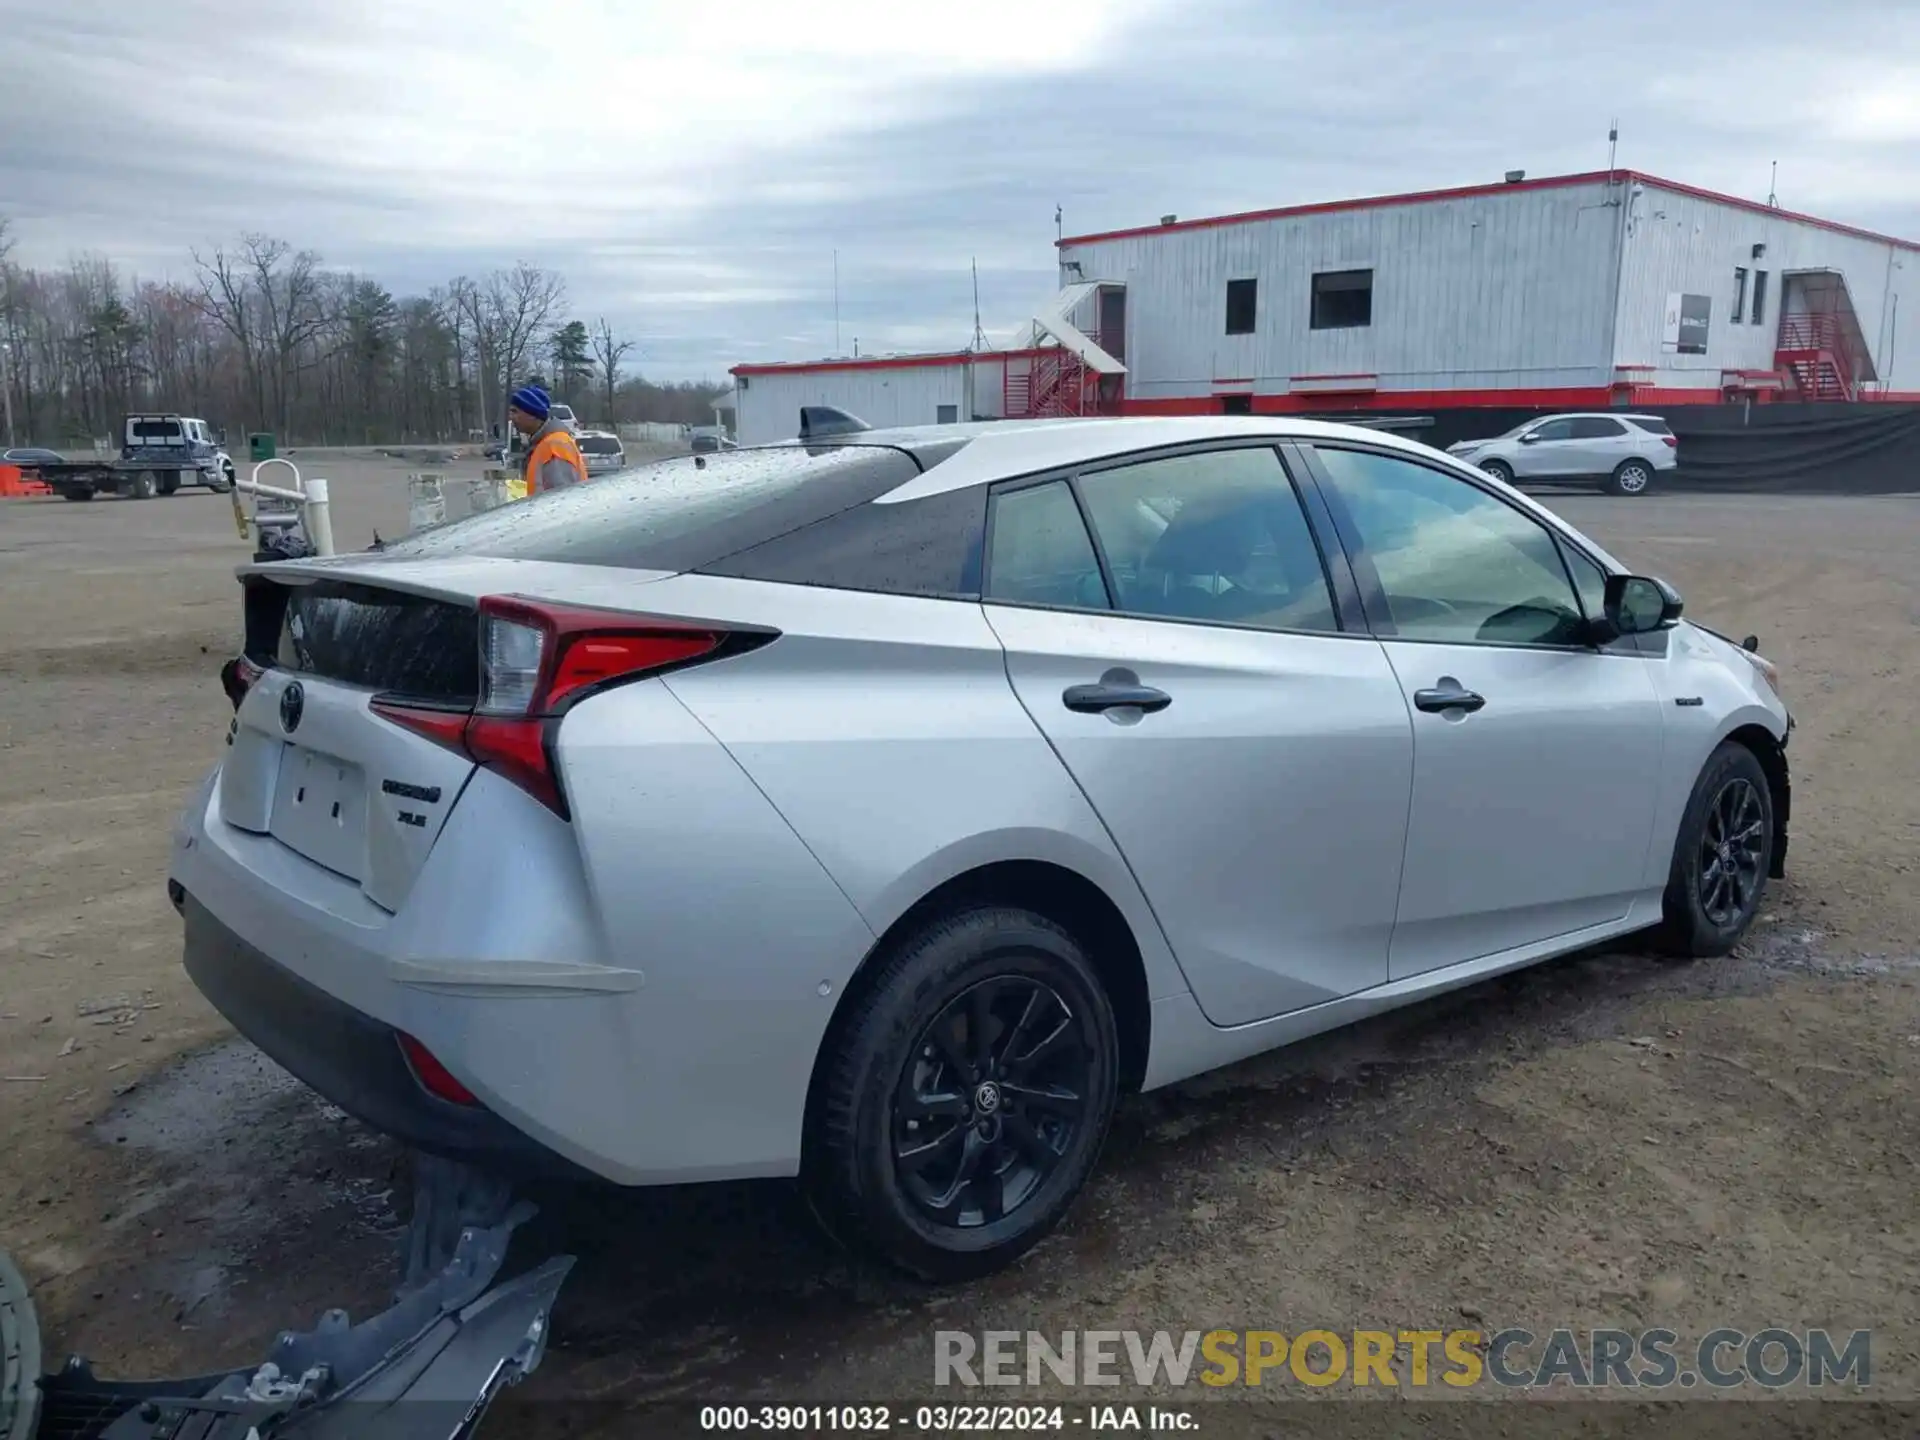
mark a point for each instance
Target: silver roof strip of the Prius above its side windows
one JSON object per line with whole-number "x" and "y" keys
{"x": 984, "y": 452}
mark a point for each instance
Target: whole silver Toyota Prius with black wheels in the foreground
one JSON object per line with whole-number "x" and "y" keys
{"x": 878, "y": 809}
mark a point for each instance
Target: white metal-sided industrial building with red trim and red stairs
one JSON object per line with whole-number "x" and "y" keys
{"x": 1562, "y": 293}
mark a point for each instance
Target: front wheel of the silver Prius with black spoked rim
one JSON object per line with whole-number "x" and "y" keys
{"x": 1721, "y": 857}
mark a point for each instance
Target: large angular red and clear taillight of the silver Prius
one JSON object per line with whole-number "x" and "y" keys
{"x": 535, "y": 663}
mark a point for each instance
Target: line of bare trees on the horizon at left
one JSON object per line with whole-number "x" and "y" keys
{"x": 264, "y": 337}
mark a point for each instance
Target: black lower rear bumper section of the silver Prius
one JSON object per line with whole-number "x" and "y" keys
{"x": 347, "y": 1055}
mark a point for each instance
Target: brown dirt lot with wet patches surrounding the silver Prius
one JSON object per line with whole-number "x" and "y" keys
{"x": 1602, "y": 1141}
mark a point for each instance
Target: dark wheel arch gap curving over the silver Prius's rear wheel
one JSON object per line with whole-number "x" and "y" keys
{"x": 1051, "y": 890}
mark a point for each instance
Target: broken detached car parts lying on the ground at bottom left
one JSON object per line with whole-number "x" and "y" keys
{"x": 429, "y": 1366}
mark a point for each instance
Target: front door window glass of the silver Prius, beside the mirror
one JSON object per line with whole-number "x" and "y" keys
{"x": 1456, "y": 564}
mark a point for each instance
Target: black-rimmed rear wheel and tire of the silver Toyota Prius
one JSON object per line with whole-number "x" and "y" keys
{"x": 965, "y": 1097}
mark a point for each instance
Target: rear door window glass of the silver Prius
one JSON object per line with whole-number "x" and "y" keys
{"x": 1216, "y": 537}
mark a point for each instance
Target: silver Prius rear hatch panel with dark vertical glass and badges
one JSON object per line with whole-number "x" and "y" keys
{"x": 312, "y": 763}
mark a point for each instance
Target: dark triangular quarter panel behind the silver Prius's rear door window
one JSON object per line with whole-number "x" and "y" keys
{"x": 913, "y": 548}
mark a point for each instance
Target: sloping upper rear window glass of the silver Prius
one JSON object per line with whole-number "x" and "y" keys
{"x": 679, "y": 514}
